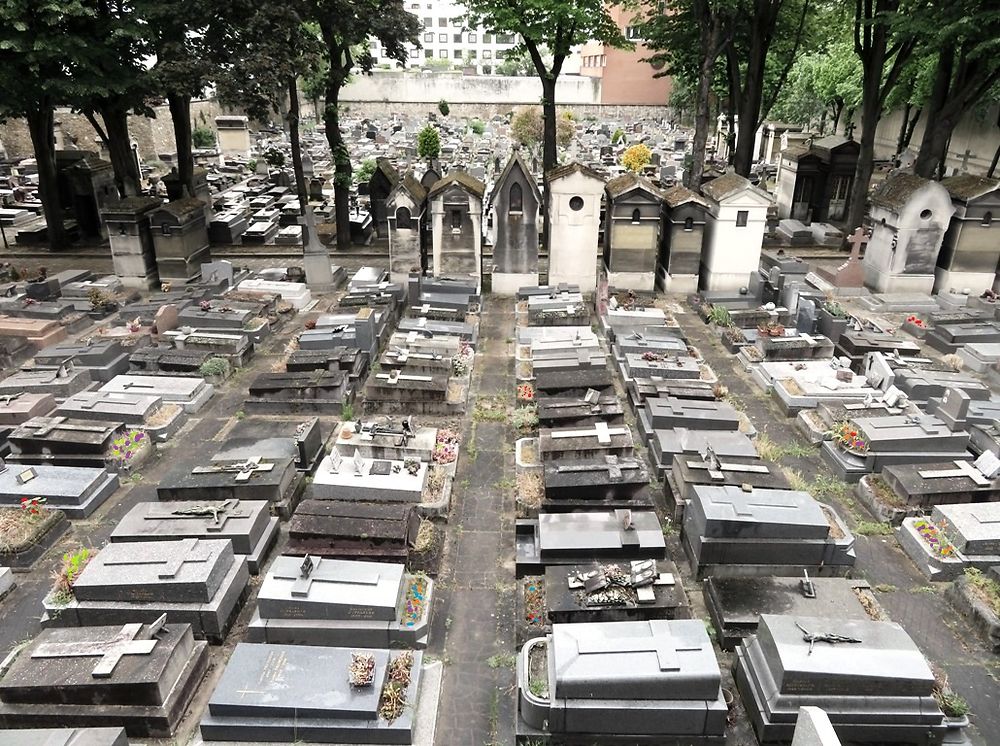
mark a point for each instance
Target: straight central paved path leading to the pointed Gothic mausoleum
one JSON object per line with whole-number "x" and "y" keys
{"x": 475, "y": 592}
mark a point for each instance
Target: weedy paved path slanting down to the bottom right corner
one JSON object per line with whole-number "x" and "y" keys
{"x": 907, "y": 597}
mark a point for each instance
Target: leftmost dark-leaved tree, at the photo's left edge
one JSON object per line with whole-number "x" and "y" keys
{"x": 41, "y": 52}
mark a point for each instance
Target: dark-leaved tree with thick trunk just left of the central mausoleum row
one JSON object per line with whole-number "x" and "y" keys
{"x": 345, "y": 24}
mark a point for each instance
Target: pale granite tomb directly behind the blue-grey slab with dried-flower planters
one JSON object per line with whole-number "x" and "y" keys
{"x": 319, "y": 601}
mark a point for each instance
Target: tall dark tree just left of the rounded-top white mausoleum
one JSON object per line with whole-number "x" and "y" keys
{"x": 883, "y": 51}
